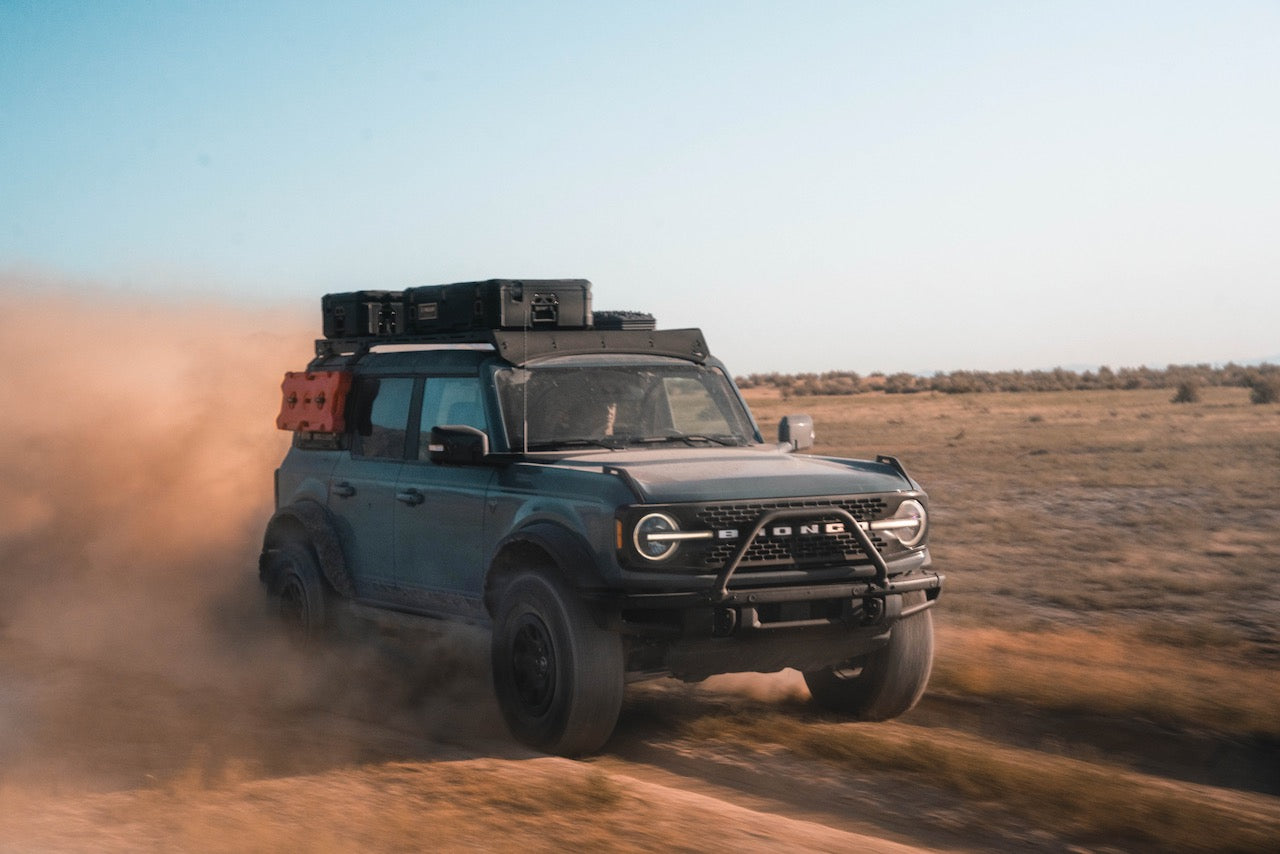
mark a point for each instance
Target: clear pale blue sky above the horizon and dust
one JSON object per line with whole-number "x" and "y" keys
{"x": 821, "y": 186}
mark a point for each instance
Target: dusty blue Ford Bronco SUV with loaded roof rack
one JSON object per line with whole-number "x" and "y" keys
{"x": 596, "y": 494}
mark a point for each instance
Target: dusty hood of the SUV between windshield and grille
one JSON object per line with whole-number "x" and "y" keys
{"x": 733, "y": 474}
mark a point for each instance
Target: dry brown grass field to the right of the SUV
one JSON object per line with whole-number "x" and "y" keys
{"x": 1105, "y": 551}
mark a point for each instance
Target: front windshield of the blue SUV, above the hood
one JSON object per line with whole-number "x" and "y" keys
{"x": 620, "y": 405}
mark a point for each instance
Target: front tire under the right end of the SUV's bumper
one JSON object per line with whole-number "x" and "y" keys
{"x": 886, "y": 683}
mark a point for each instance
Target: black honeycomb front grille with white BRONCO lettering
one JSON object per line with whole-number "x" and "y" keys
{"x": 771, "y": 552}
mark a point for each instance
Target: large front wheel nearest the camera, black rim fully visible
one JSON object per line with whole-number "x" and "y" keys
{"x": 557, "y": 675}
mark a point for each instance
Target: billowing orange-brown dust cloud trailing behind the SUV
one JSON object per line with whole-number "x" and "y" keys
{"x": 139, "y": 445}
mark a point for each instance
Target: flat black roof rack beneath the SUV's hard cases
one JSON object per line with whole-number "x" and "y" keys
{"x": 523, "y": 346}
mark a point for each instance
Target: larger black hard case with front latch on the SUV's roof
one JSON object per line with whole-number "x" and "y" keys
{"x": 500, "y": 304}
